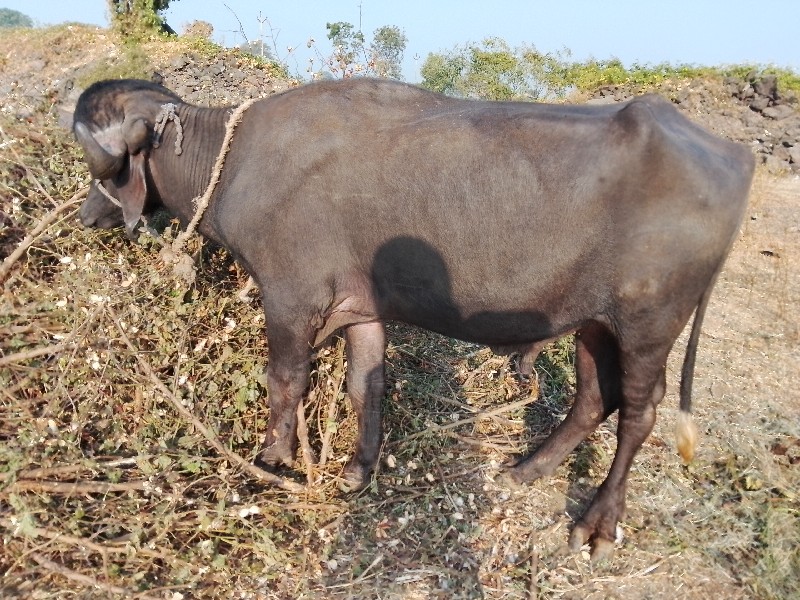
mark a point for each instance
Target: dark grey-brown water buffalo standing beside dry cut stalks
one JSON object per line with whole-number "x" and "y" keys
{"x": 356, "y": 202}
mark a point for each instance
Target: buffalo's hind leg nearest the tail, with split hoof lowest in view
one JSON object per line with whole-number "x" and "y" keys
{"x": 643, "y": 387}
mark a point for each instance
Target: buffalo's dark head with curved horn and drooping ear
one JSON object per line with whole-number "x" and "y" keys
{"x": 114, "y": 123}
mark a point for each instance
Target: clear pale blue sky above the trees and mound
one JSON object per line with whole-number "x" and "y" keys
{"x": 701, "y": 32}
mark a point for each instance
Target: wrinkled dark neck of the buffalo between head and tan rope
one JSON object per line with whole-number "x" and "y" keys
{"x": 180, "y": 178}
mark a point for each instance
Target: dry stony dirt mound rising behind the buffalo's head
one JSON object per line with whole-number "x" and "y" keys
{"x": 42, "y": 71}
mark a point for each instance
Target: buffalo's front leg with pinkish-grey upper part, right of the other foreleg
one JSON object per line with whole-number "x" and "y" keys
{"x": 365, "y": 345}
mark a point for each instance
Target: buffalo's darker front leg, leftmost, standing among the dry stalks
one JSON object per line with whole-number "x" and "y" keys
{"x": 287, "y": 380}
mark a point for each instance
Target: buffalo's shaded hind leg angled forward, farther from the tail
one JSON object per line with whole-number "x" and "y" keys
{"x": 598, "y": 392}
